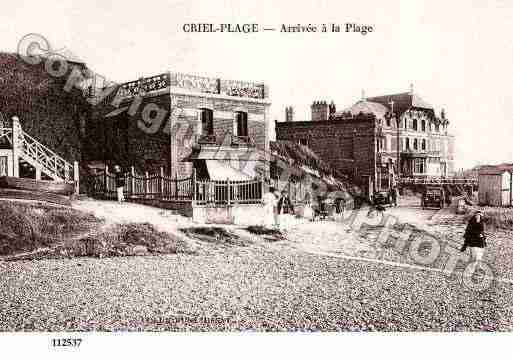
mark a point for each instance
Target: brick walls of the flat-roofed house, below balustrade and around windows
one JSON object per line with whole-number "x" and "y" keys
{"x": 125, "y": 140}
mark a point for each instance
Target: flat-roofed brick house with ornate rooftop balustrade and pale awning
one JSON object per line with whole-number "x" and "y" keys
{"x": 183, "y": 122}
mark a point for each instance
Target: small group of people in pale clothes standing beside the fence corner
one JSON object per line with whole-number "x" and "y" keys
{"x": 278, "y": 208}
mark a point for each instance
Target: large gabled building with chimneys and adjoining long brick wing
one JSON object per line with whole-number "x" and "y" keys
{"x": 378, "y": 139}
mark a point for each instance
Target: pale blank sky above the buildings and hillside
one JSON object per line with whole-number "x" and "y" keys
{"x": 458, "y": 55}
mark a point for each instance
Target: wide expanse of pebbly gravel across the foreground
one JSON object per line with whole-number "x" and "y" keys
{"x": 250, "y": 288}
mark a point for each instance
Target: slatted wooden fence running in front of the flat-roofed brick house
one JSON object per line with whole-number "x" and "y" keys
{"x": 164, "y": 188}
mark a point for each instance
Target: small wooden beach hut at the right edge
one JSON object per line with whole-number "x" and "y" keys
{"x": 495, "y": 186}
